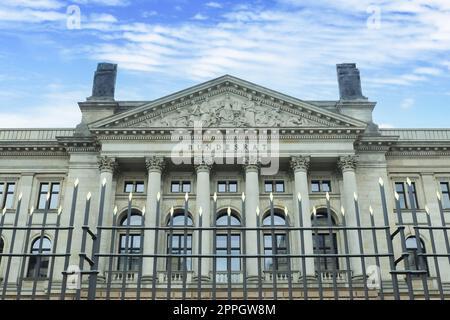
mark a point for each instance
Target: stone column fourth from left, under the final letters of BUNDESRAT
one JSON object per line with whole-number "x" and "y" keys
{"x": 251, "y": 203}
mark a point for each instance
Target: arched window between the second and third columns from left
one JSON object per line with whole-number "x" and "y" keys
{"x": 178, "y": 242}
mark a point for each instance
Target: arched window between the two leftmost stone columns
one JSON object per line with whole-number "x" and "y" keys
{"x": 134, "y": 242}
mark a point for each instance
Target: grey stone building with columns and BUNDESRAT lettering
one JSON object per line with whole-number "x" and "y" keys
{"x": 208, "y": 169}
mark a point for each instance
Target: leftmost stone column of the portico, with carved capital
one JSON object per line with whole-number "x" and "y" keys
{"x": 107, "y": 168}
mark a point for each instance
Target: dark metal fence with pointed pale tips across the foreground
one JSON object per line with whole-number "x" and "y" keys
{"x": 121, "y": 272}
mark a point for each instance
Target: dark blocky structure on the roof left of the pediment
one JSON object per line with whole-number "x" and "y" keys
{"x": 104, "y": 82}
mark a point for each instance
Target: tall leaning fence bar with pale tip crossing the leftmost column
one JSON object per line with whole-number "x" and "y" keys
{"x": 96, "y": 246}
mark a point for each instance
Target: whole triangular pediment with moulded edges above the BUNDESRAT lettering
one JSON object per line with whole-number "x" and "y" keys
{"x": 227, "y": 102}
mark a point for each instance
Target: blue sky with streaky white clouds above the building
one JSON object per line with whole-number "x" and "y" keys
{"x": 401, "y": 47}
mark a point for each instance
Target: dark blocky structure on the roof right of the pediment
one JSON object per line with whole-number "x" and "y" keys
{"x": 349, "y": 82}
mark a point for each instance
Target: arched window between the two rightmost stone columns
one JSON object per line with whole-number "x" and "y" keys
{"x": 324, "y": 243}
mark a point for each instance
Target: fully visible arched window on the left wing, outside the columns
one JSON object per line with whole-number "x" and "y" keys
{"x": 36, "y": 263}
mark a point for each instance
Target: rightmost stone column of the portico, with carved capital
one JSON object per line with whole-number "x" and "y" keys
{"x": 347, "y": 165}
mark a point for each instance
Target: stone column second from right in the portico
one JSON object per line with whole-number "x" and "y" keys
{"x": 300, "y": 166}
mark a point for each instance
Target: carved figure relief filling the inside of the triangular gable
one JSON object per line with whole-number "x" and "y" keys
{"x": 227, "y": 111}
